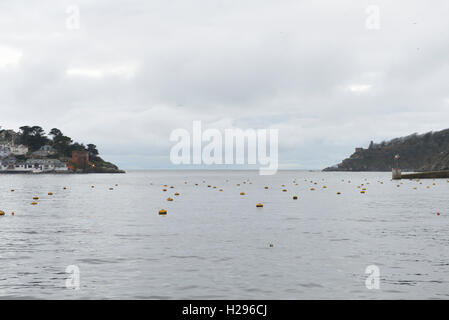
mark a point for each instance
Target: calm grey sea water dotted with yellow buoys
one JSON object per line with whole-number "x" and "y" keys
{"x": 216, "y": 245}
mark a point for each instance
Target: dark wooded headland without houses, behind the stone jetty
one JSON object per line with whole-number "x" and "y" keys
{"x": 426, "y": 152}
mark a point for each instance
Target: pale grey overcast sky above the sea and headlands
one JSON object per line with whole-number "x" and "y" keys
{"x": 328, "y": 74}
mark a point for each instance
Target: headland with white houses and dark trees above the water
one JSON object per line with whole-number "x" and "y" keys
{"x": 32, "y": 149}
